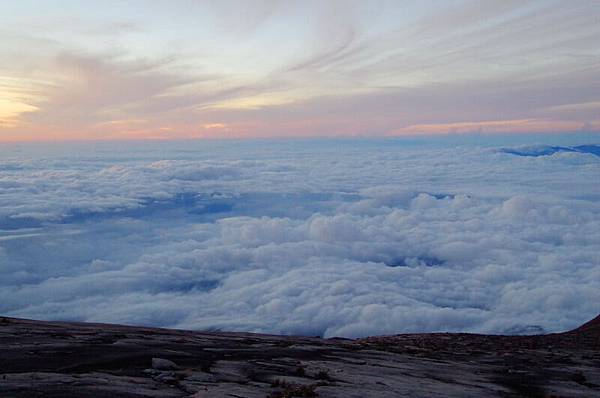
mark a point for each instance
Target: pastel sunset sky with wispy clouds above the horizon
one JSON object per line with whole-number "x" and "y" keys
{"x": 88, "y": 70}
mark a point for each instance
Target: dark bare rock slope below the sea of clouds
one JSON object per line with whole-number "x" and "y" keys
{"x": 55, "y": 359}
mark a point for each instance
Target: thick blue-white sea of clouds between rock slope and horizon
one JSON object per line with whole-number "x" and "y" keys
{"x": 313, "y": 237}
